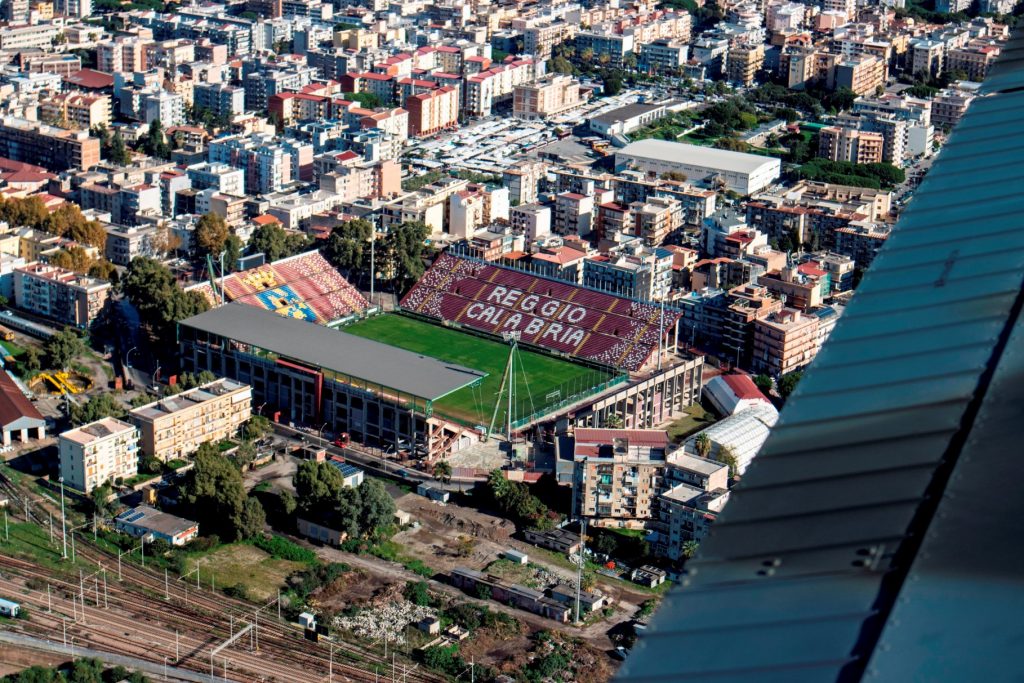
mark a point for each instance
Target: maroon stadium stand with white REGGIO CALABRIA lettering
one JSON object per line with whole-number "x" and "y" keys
{"x": 552, "y": 315}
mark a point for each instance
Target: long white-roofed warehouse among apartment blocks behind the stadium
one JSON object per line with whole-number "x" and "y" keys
{"x": 741, "y": 173}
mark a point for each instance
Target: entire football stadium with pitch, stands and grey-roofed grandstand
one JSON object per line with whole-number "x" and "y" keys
{"x": 485, "y": 352}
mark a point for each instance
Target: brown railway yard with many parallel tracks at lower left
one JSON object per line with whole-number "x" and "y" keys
{"x": 172, "y": 623}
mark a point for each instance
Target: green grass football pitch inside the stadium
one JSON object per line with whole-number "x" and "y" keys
{"x": 541, "y": 381}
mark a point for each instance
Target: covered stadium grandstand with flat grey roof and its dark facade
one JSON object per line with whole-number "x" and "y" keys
{"x": 313, "y": 375}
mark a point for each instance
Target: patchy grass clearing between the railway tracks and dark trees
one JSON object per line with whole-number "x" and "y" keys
{"x": 242, "y": 564}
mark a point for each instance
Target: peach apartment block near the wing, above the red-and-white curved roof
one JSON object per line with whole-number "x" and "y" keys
{"x": 785, "y": 341}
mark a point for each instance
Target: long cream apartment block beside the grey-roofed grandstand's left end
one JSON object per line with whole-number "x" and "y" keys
{"x": 175, "y": 428}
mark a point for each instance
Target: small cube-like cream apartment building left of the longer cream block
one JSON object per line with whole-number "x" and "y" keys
{"x": 100, "y": 452}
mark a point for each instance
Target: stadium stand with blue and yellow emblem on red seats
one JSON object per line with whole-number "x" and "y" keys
{"x": 305, "y": 286}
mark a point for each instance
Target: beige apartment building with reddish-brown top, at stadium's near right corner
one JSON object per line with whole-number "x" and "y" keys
{"x": 618, "y": 475}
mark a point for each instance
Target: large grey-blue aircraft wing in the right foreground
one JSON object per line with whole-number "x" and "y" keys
{"x": 879, "y": 535}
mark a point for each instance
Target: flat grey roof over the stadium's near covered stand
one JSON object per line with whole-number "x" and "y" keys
{"x": 394, "y": 368}
